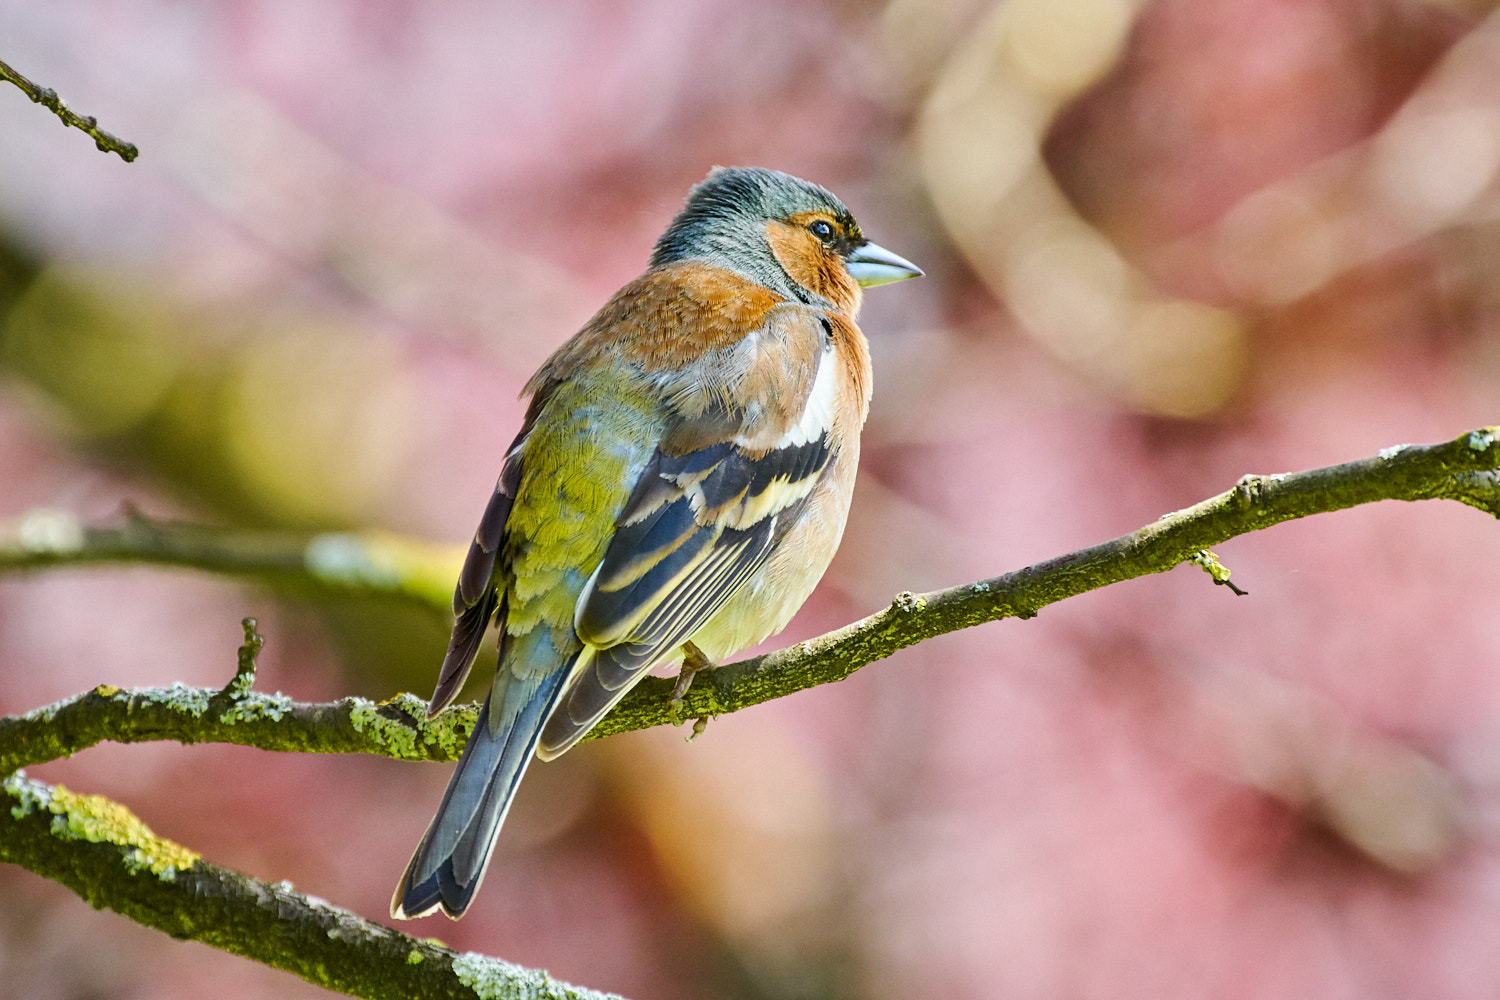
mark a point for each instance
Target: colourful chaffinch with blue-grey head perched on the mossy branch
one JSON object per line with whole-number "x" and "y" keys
{"x": 679, "y": 487}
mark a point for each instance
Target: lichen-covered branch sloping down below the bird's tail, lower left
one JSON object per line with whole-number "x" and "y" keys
{"x": 104, "y": 854}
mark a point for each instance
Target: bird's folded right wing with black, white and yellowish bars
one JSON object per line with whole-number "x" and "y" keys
{"x": 752, "y": 439}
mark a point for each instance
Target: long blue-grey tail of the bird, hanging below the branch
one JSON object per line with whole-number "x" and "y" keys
{"x": 451, "y": 861}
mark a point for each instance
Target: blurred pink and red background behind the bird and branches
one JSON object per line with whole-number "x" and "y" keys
{"x": 1168, "y": 244}
